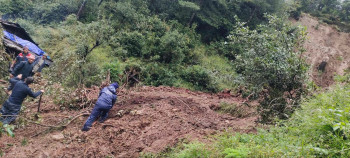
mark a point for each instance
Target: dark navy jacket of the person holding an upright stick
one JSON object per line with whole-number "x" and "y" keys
{"x": 20, "y": 91}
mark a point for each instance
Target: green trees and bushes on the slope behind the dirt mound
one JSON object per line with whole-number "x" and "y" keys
{"x": 199, "y": 45}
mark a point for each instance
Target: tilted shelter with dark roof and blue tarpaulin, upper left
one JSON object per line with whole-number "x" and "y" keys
{"x": 15, "y": 38}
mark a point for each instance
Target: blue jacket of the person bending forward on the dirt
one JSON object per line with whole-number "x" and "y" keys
{"x": 107, "y": 97}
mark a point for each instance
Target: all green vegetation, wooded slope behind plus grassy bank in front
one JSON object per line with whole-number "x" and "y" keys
{"x": 211, "y": 45}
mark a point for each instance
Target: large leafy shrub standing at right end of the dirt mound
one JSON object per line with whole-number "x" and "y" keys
{"x": 271, "y": 66}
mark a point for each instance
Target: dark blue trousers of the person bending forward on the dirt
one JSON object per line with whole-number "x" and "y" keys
{"x": 98, "y": 111}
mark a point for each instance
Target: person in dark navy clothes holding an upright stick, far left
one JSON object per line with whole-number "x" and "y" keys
{"x": 12, "y": 106}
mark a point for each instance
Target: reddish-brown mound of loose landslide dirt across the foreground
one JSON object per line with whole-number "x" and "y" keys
{"x": 146, "y": 119}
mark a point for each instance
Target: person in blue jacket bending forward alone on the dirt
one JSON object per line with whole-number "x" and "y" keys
{"x": 105, "y": 101}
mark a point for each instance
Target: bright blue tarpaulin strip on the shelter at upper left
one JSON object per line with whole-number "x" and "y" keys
{"x": 32, "y": 47}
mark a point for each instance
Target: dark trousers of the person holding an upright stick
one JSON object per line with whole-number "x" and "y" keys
{"x": 9, "y": 109}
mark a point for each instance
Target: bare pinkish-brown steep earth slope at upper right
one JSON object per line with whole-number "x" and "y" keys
{"x": 325, "y": 43}
